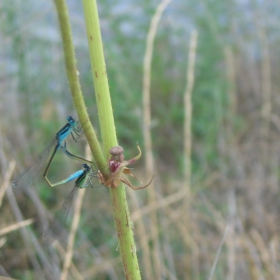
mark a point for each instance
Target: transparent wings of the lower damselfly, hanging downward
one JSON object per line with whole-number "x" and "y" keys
{"x": 58, "y": 222}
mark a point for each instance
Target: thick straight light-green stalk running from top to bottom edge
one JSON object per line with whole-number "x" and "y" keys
{"x": 109, "y": 139}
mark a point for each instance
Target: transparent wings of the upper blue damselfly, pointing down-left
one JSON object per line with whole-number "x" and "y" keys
{"x": 29, "y": 175}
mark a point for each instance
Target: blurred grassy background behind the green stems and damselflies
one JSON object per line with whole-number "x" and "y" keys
{"x": 222, "y": 218}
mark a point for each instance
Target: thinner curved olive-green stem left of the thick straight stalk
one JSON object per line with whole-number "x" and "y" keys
{"x": 72, "y": 75}
